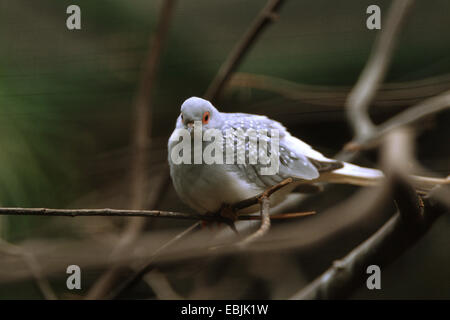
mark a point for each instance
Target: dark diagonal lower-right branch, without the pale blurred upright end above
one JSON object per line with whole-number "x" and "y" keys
{"x": 394, "y": 238}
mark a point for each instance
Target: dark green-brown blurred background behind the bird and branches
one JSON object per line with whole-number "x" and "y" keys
{"x": 66, "y": 117}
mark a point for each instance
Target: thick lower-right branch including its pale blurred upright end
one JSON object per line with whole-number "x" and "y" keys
{"x": 399, "y": 234}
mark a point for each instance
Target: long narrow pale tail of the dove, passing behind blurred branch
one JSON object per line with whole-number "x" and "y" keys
{"x": 361, "y": 176}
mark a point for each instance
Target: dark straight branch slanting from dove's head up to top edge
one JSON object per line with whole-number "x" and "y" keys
{"x": 267, "y": 15}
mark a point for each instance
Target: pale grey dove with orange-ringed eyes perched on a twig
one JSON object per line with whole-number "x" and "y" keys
{"x": 207, "y": 187}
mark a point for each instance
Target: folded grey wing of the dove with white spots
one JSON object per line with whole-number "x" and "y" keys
{"x": 291, "y": 162}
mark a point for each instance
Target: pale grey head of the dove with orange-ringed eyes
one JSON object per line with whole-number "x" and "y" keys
{"x": 196, "y": 110}
